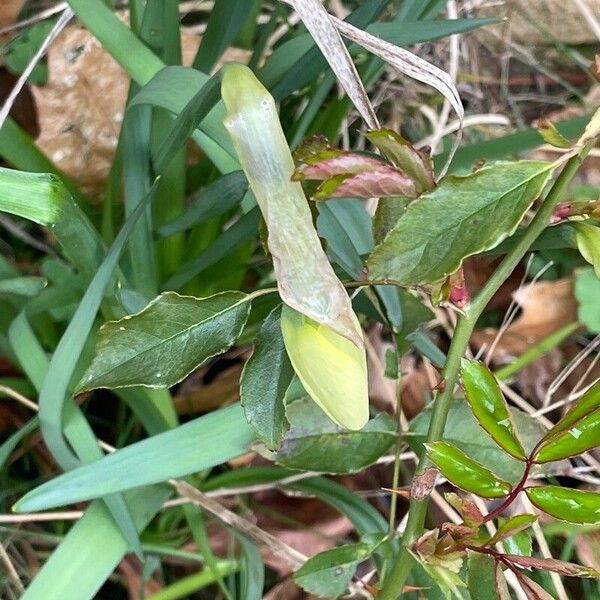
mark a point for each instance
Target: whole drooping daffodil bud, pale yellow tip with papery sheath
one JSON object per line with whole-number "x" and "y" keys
{"x": 306, "y": 280}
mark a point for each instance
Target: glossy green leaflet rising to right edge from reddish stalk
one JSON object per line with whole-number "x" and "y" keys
{"x": 577, "y": 432}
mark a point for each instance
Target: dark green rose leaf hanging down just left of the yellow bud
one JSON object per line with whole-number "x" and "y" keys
{"x": 265, "y": 379}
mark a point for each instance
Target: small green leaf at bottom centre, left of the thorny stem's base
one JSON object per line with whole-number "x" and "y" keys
{"x": 329, "y": 573}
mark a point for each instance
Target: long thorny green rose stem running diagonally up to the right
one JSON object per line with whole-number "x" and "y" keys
{"x": 394, "y": 582}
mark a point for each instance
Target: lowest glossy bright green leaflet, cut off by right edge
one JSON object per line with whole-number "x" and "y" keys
{"x": 567, "y": 504}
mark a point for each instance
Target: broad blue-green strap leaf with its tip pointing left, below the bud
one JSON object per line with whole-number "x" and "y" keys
{"x": 200, "y": 444}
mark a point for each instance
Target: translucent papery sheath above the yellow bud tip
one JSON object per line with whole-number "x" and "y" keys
{"x": 305, "y": 277}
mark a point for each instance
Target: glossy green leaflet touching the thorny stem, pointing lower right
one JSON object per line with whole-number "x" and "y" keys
{"x": 466, "y": 473}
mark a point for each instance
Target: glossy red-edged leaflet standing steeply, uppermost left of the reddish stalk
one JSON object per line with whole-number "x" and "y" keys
{"x": 489, "y": 406}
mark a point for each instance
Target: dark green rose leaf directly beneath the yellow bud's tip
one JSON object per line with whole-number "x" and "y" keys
{"x": 315, "y": 443}
